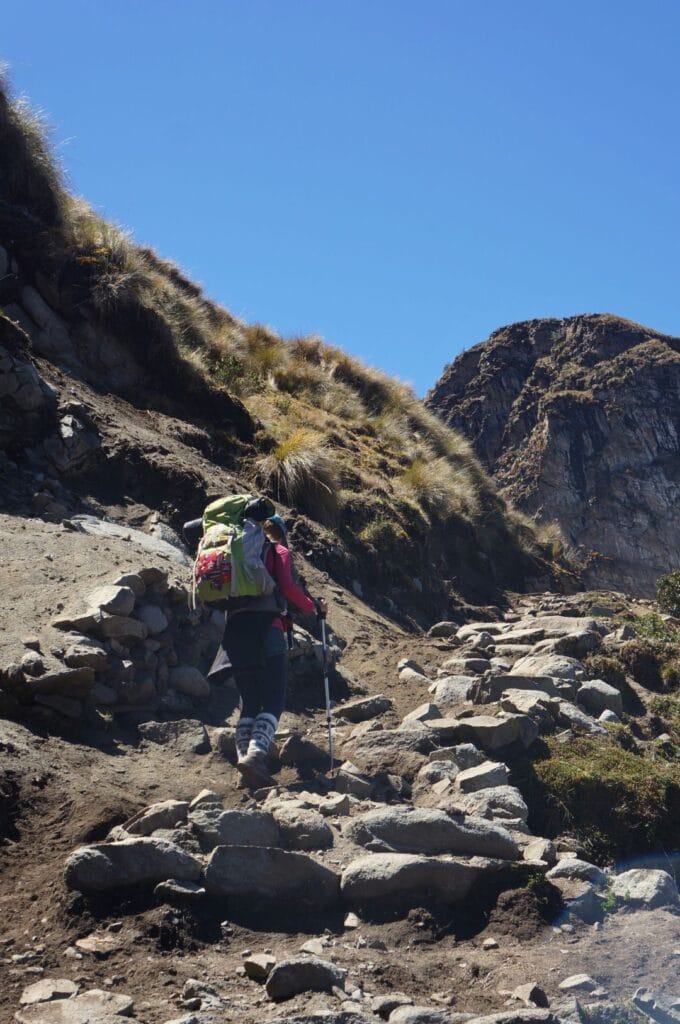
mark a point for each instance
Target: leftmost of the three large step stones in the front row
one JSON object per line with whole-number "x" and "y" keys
{"x": 135, "y": 862}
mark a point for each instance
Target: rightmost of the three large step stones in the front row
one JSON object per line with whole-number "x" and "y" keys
{"x": 386, "y": 876}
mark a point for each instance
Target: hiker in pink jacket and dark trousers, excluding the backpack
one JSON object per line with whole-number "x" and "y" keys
{"x": 254, "y": 648}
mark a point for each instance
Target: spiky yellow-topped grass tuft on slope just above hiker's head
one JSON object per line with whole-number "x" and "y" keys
{"x": 302, "y": 472}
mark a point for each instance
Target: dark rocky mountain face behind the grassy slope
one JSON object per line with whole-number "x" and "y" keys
{"x": 579, "y": 420}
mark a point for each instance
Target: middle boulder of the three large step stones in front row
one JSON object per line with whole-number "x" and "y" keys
{"x": 270, "y": 874}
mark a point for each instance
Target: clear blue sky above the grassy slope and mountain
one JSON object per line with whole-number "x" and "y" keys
{"x": 399, "y": 177}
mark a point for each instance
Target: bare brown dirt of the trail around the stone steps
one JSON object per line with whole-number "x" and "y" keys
{"x": 68, "y": 790}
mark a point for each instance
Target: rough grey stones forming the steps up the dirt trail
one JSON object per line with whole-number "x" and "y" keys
{"x": 458, "y": 826}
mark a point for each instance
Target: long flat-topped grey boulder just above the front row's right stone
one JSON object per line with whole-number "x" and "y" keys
{"x": 432, "y": 832}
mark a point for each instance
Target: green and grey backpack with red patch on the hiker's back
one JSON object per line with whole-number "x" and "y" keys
{"x": 231, "y": 557}
